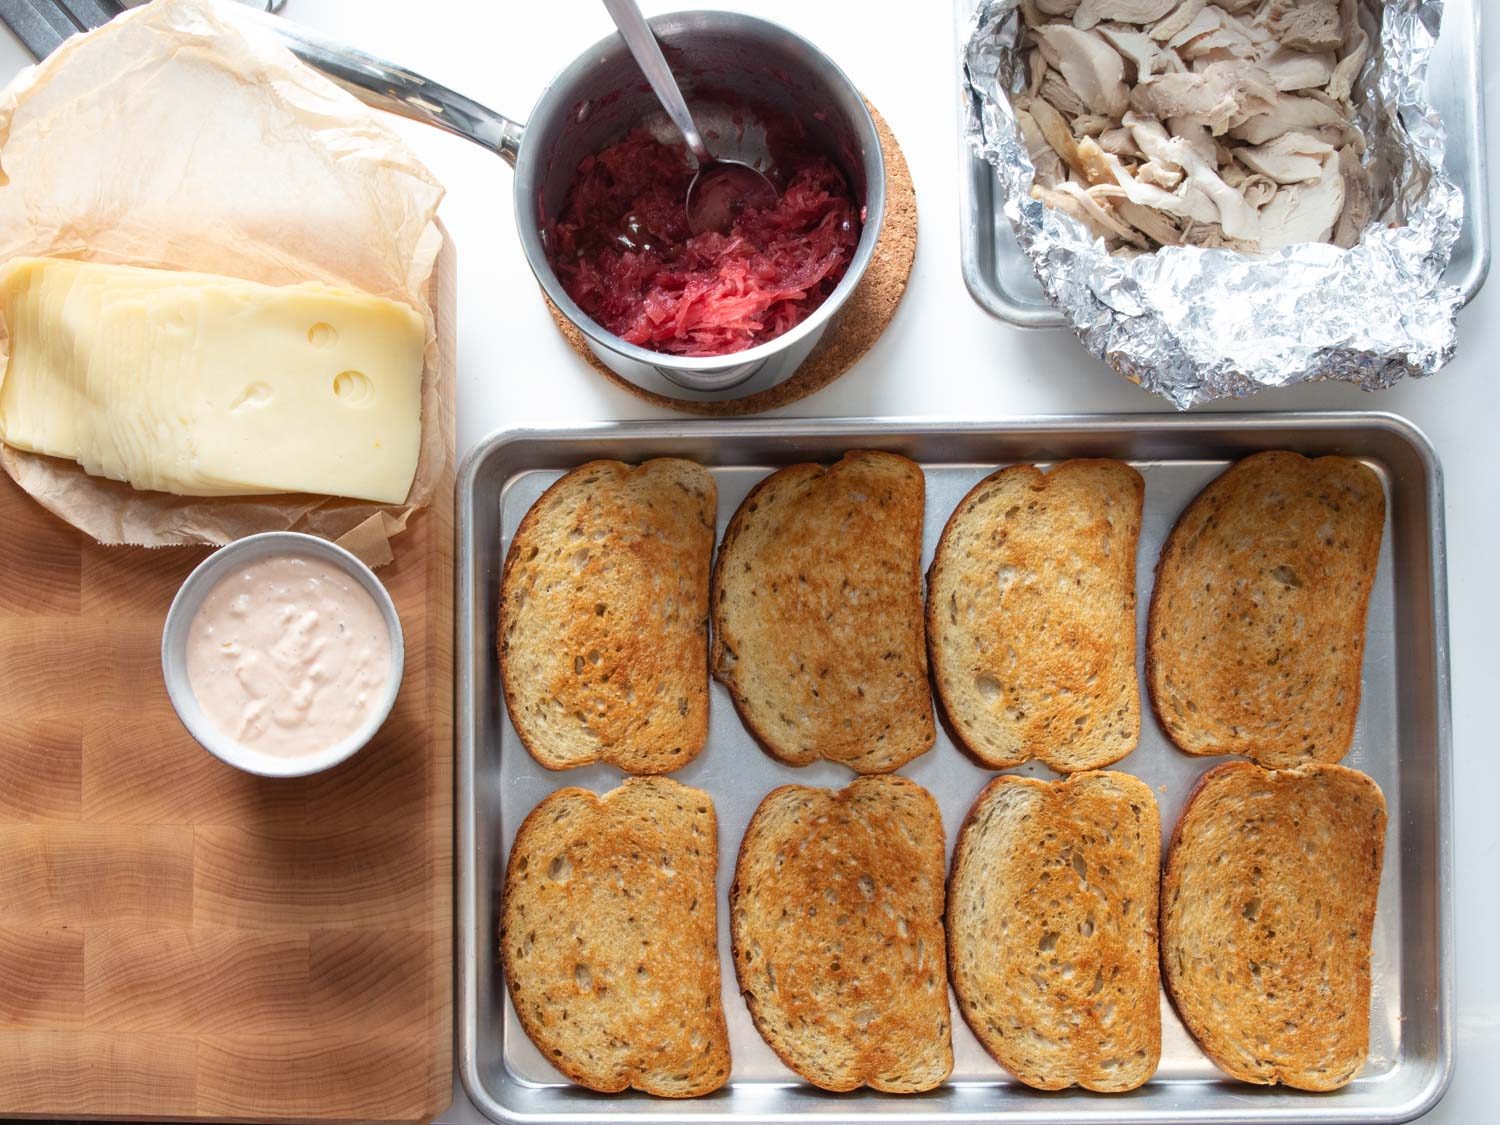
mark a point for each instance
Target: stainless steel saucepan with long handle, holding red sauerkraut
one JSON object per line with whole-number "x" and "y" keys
{"x": 724, "y": 62}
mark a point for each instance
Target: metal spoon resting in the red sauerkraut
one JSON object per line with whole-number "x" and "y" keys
{"x": 722, "y": 188}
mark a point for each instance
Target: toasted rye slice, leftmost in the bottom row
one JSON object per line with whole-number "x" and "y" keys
{"x": 611, "y": 943}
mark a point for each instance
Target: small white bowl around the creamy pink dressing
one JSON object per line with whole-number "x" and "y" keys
{"x": 175, "y": 653}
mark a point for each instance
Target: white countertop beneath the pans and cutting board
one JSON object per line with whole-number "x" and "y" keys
{"x": 943, "y": 355}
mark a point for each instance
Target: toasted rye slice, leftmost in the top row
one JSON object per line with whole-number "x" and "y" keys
{"x": 604, "y": 617}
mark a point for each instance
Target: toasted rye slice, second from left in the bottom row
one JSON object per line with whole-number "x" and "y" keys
{"x": 836, "y": 916}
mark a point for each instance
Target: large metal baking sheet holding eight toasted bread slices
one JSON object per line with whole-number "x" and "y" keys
{"x": 1402, "y": 740}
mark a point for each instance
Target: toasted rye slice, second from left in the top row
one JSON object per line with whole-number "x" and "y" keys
{"x": 818, "y": 614}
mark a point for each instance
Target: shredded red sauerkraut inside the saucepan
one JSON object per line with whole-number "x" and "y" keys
{"x": 623, "y": 251}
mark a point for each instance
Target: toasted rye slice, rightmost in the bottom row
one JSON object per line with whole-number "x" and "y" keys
{"x": 1268, "y": 907}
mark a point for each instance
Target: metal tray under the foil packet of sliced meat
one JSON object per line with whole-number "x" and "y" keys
{"x": 1001, "y": 278}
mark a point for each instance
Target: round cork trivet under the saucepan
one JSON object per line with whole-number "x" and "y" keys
{"x": 848, "y": 337}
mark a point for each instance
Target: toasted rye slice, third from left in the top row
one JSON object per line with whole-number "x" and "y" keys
{"x": 1031, "y": 616}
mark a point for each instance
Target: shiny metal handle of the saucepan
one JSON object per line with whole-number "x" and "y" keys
{"x": 391, "y": 88}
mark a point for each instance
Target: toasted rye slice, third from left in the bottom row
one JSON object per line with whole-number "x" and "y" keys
{"x": 1052, "y": 929}
